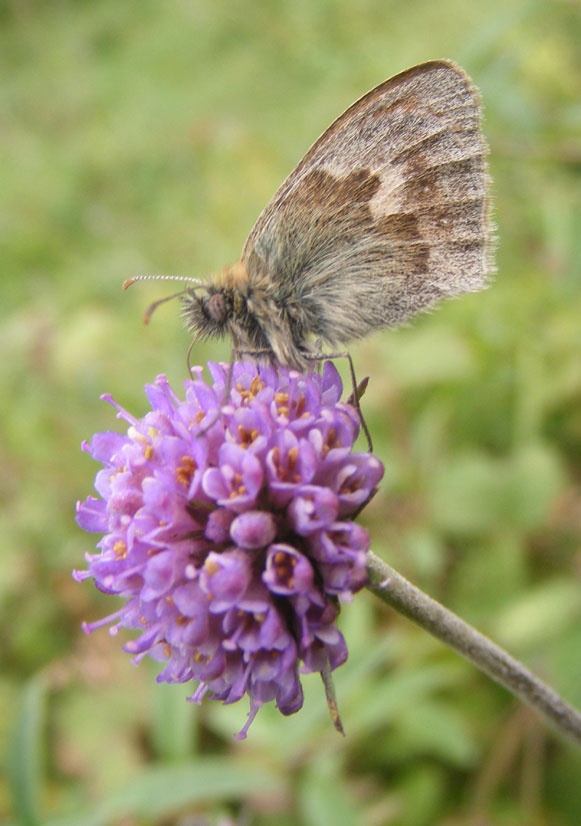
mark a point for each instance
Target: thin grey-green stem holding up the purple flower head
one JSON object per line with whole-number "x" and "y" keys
{"x": 396, "y": 591}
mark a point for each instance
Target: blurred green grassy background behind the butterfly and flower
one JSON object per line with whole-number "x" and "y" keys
{"x": 146, "y": 137}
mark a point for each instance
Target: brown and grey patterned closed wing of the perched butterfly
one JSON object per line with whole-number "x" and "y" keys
{"x": 387, "y": 212}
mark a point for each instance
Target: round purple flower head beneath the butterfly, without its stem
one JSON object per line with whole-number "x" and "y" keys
{"x": 232, "y": 549}
